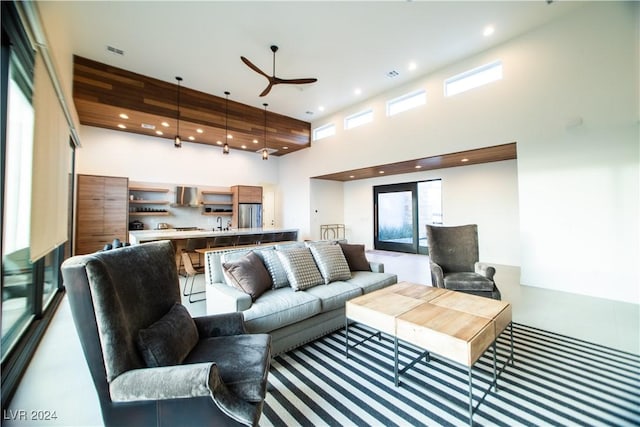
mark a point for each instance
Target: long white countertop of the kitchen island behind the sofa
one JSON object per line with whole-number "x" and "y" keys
{"x": 141, "y": 236}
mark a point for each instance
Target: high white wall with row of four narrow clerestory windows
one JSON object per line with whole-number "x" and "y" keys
{"x": 569, "y": 98}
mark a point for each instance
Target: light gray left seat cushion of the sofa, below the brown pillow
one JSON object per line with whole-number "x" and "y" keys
{"x": 280, "y": 307}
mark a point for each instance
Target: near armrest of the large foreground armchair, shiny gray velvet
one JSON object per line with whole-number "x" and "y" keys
{"x": 178, "y": 382}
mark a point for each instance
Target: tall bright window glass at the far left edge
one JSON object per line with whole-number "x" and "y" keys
{"x": 17, "y": 290}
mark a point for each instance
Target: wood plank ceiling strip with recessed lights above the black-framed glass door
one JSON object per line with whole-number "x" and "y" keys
{"x": 463, "y": 158}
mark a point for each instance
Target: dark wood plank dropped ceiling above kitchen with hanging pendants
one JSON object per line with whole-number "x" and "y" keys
{"x": 102, "y": 93}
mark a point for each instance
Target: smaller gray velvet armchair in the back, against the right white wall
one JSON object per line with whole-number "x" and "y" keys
{"x": 453, "y": 258}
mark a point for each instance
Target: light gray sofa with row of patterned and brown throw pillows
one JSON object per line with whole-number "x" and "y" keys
{"x": 303, "y": 300}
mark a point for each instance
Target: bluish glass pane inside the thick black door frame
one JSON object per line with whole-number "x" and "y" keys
{"x": 395, "y": 217}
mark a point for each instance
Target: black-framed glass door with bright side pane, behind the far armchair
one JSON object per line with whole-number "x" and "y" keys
{"x": 401, "y": 212}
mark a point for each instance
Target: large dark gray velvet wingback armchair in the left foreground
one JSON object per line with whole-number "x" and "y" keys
{"x": 150, "y": 361}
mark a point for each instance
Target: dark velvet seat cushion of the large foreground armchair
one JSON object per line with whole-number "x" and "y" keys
{"x": 241, "y": 362}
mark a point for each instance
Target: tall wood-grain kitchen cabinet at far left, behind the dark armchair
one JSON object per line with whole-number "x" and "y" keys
{"x": 102, "y": 212}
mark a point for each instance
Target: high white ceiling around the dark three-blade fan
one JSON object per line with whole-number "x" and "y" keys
{"x": 345, "y": 45}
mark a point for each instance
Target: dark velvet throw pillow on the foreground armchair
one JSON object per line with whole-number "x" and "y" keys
{"x": 169, "y": 340}
